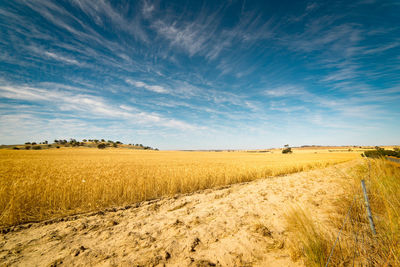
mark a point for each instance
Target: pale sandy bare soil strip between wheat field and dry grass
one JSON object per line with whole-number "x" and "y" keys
{"x": 238, "y": 225}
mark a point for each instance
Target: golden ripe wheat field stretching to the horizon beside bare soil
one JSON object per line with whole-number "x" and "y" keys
{"x": 39, "y": 185}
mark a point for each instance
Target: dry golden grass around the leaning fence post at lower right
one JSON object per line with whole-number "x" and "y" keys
{"x": 357, "y": 246}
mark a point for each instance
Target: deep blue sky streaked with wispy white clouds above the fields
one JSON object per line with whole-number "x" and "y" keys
{"x": 201, "y": 74}
